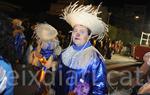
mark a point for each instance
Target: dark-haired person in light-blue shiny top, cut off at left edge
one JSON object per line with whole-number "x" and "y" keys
{"x": 7, "y": 57}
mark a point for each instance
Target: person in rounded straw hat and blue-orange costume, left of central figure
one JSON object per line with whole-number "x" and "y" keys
{"x": 44, "y": 55}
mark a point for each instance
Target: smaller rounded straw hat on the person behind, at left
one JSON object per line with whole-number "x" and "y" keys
{"x": 45, "y": 32}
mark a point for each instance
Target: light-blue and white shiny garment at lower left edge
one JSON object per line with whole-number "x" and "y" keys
{"x": 6, "y": 78}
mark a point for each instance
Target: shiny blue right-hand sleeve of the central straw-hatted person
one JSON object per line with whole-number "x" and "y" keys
{"x": 99, "y": 77}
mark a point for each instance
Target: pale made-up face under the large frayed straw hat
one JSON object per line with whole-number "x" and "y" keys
{"x": 80, "y": 35}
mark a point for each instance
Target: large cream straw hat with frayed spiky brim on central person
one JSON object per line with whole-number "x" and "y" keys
{"x": 85, "y": 15}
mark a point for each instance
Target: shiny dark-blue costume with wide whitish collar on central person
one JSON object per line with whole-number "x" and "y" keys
{"x": 81, "y": 66}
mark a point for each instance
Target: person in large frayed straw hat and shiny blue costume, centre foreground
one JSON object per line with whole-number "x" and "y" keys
{"x": 82, "y": 69}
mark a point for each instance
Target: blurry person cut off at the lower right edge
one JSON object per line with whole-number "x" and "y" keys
{"x": 138, "y": 87}
